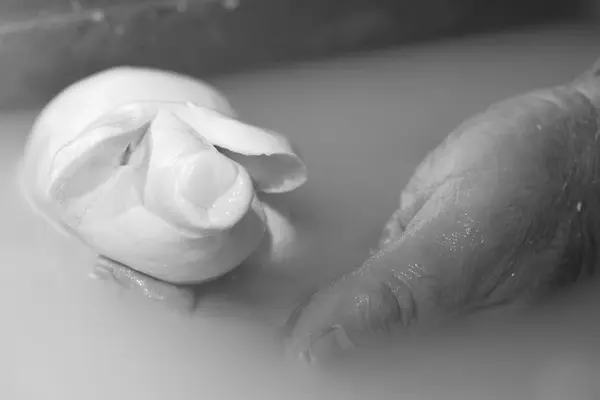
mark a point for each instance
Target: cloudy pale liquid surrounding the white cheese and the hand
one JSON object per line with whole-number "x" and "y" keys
{"x": 362, "y": 124}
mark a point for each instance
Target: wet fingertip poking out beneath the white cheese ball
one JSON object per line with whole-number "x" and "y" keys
{"x": 178, "y": 298}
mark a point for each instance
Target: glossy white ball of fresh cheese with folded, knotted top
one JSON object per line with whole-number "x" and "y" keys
{"x": 153, "y": 170}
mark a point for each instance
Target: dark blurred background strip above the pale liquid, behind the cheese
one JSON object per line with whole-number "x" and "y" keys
{"x": 210, "y": 39}
